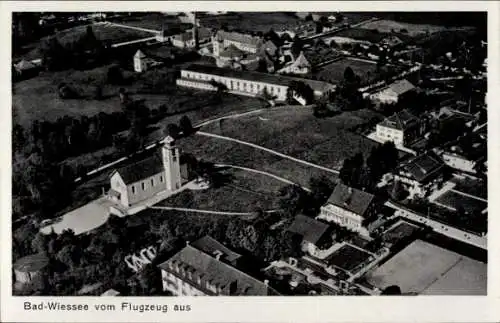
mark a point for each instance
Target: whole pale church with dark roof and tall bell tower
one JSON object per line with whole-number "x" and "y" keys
{"x": 163, "y": 171}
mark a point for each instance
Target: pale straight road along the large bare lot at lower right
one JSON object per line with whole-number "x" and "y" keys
{"x": 441, "y": 228}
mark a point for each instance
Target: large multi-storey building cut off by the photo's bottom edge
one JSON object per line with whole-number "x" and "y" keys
{"x": 208, "y": 268}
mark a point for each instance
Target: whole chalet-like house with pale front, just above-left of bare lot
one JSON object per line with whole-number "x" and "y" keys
{"x": 350, "y": 208}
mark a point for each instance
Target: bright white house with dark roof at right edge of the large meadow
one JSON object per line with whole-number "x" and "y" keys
{"x": 402, "y": 128}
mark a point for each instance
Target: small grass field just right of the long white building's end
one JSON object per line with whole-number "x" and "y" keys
{"x": 366, "y": 70}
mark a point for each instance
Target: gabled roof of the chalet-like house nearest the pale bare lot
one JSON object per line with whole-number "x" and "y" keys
{"x": 351, "y": 199}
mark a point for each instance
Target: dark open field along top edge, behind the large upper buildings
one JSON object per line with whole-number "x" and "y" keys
{"x": 252, "y": 21}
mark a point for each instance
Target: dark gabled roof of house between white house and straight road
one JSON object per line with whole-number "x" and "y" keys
{"x": 422, "y": 167}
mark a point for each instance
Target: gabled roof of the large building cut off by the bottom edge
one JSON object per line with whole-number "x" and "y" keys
{"x": 231, "y": 280}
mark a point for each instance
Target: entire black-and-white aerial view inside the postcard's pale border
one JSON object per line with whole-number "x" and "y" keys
{"x": 249, "y": 153}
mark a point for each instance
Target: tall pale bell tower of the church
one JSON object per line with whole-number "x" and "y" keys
{"x": 171, "y": 164}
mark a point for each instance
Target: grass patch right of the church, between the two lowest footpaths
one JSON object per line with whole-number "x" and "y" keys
{"x": 243, "y": 192}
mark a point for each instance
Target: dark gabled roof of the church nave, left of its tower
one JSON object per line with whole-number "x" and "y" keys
{"x": 142, "y": 169}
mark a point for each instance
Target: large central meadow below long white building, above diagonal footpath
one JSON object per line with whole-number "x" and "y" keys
{"x": 296, "y": 132}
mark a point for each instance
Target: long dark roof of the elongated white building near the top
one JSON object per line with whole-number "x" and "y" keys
{"x": 318, "y": 86}
